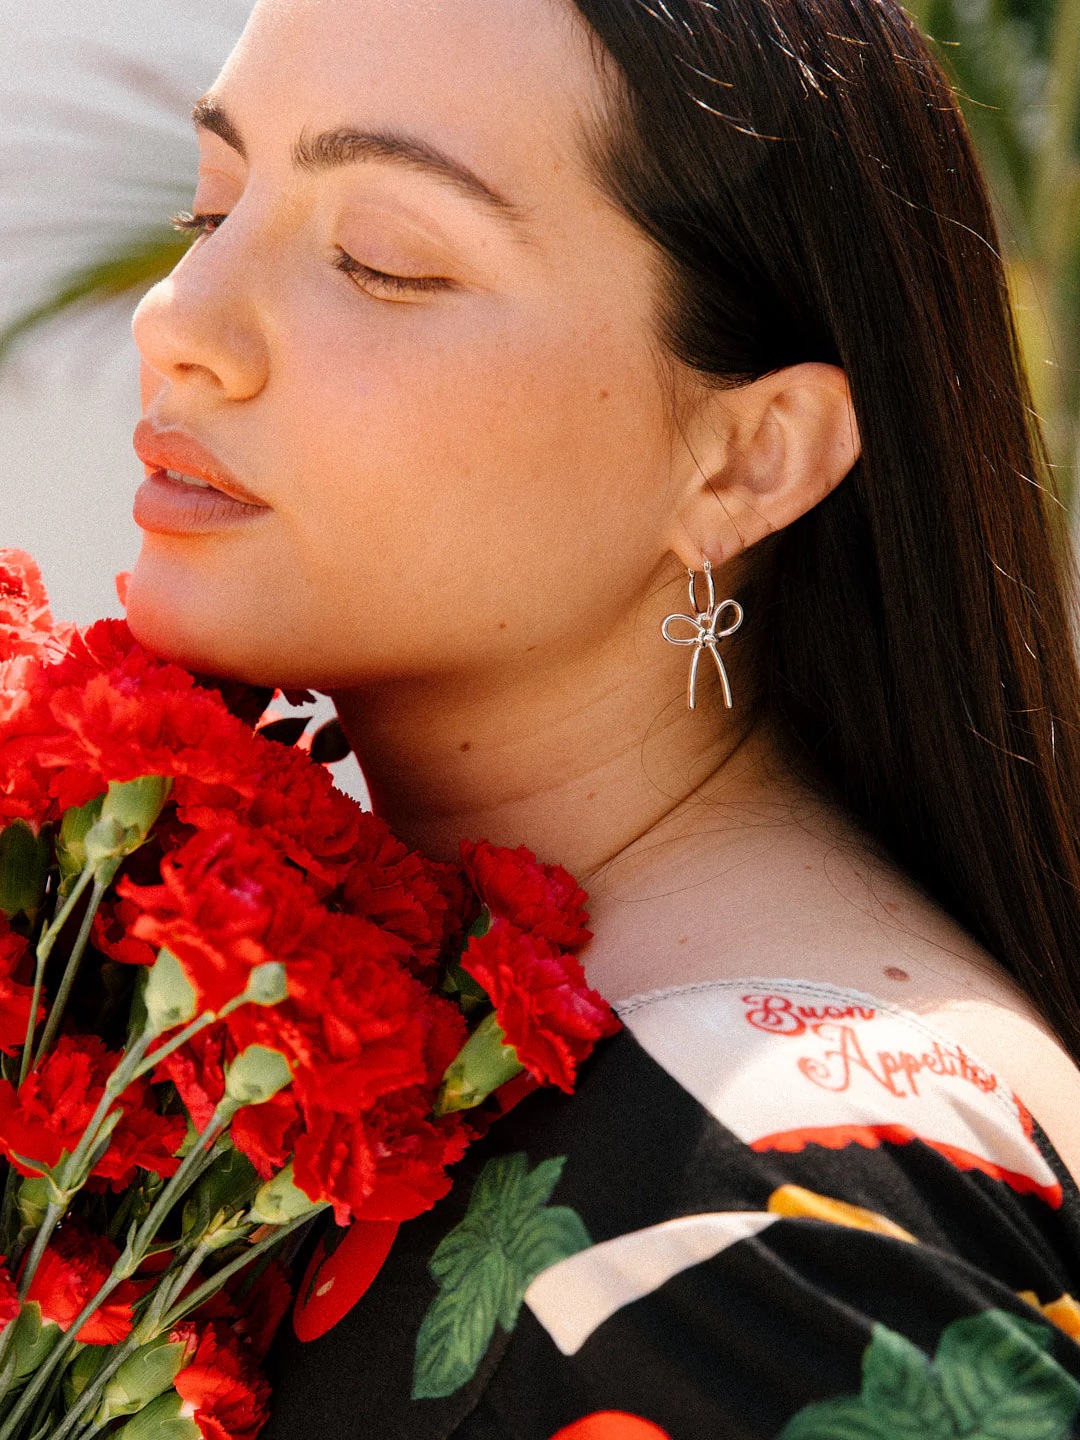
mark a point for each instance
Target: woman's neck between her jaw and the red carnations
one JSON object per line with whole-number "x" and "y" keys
{"x": 581, "y": 762}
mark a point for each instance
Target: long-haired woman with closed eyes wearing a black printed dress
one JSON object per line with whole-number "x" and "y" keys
{"x": 505, "y": 316}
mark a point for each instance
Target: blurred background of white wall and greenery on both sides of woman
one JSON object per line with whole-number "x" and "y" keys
{"x": 97, "y": 150}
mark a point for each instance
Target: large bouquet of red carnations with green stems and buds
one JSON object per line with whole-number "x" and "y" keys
{"x": 230, "y": 1000}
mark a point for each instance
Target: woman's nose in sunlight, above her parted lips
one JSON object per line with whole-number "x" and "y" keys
{"x": 199, "y": 329}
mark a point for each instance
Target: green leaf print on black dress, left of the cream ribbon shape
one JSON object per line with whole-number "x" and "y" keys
{"x": 486, "y": 1265}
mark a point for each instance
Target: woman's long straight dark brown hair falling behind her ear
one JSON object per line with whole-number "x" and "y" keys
{"x": 804, "y": 169}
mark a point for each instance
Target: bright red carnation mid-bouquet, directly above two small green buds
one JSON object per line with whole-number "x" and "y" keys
{"x": 227, "y": 904}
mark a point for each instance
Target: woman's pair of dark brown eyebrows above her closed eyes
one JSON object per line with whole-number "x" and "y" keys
{"x": 333, "y": 149}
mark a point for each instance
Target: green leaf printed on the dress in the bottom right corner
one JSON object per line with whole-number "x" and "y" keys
{"x": 1000, "y": 1380}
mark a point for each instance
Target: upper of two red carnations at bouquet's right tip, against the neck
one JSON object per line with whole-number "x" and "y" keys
{"x": 515, "y": 886}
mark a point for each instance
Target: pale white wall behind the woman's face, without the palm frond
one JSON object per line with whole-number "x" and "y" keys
{"x": 96, "y": 142}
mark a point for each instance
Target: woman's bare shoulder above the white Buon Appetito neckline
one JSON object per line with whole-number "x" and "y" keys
{"x": 810, "y": 898}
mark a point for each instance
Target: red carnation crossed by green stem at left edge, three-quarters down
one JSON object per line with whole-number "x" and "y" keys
{"x": 54, "y": 1105}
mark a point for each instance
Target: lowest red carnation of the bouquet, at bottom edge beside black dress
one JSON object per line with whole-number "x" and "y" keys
{"x": 222, "y": 1387}
